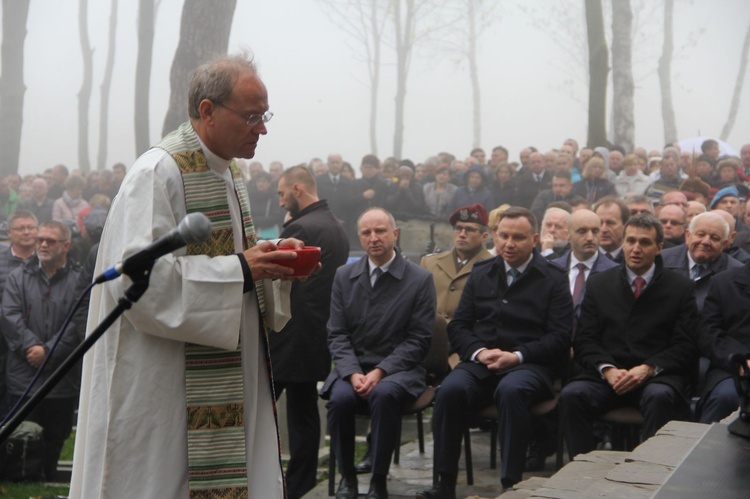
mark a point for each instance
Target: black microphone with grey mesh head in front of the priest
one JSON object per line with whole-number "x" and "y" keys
{"x": 194, "y": 228}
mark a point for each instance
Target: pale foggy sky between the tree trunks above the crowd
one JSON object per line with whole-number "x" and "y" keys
{"x": 318, "y": 93}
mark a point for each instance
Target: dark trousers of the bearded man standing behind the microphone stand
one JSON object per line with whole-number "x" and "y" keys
{"x": 55, "y": 416}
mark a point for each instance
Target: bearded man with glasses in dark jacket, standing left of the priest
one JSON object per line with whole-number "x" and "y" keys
{"x": 36, "y": 301}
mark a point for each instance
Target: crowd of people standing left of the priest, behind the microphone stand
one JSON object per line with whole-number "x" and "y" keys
{"x": 51, "y": 225}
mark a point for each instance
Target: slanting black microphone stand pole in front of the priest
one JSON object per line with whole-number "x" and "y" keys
{"x": 132, "y": 295}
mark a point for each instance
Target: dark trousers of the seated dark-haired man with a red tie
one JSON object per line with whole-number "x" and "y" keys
{"x": 581, "y": 401}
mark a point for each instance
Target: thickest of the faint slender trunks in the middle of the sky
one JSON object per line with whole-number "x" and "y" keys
{"x": 404, "y": 44}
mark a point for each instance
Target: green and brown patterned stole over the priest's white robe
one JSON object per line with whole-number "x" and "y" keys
{"x": 217, "y": 459}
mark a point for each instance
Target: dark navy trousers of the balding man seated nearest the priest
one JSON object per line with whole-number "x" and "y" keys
{"x": 384, "y": 405}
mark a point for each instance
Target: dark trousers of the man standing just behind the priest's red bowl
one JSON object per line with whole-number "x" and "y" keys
{"x": 303, "y": 424}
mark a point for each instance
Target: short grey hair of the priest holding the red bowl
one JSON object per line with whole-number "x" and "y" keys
{"x": 214, "y": 80}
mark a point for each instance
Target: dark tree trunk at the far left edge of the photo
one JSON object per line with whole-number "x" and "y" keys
{"x": 12, "y": 88}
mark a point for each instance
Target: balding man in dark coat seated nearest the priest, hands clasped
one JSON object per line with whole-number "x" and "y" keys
{"x": 381, "y": 322}
